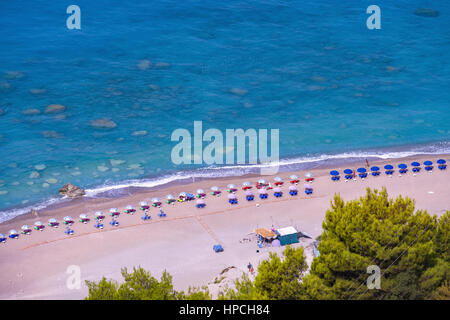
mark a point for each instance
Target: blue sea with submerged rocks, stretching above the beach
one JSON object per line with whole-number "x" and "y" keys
{"x": 310, "y": 68}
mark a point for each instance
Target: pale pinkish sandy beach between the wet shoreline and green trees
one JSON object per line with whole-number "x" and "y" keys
{"x": 34, "y": 266}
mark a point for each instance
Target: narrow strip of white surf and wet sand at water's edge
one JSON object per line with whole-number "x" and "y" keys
{"x": 133, "y": 191}
